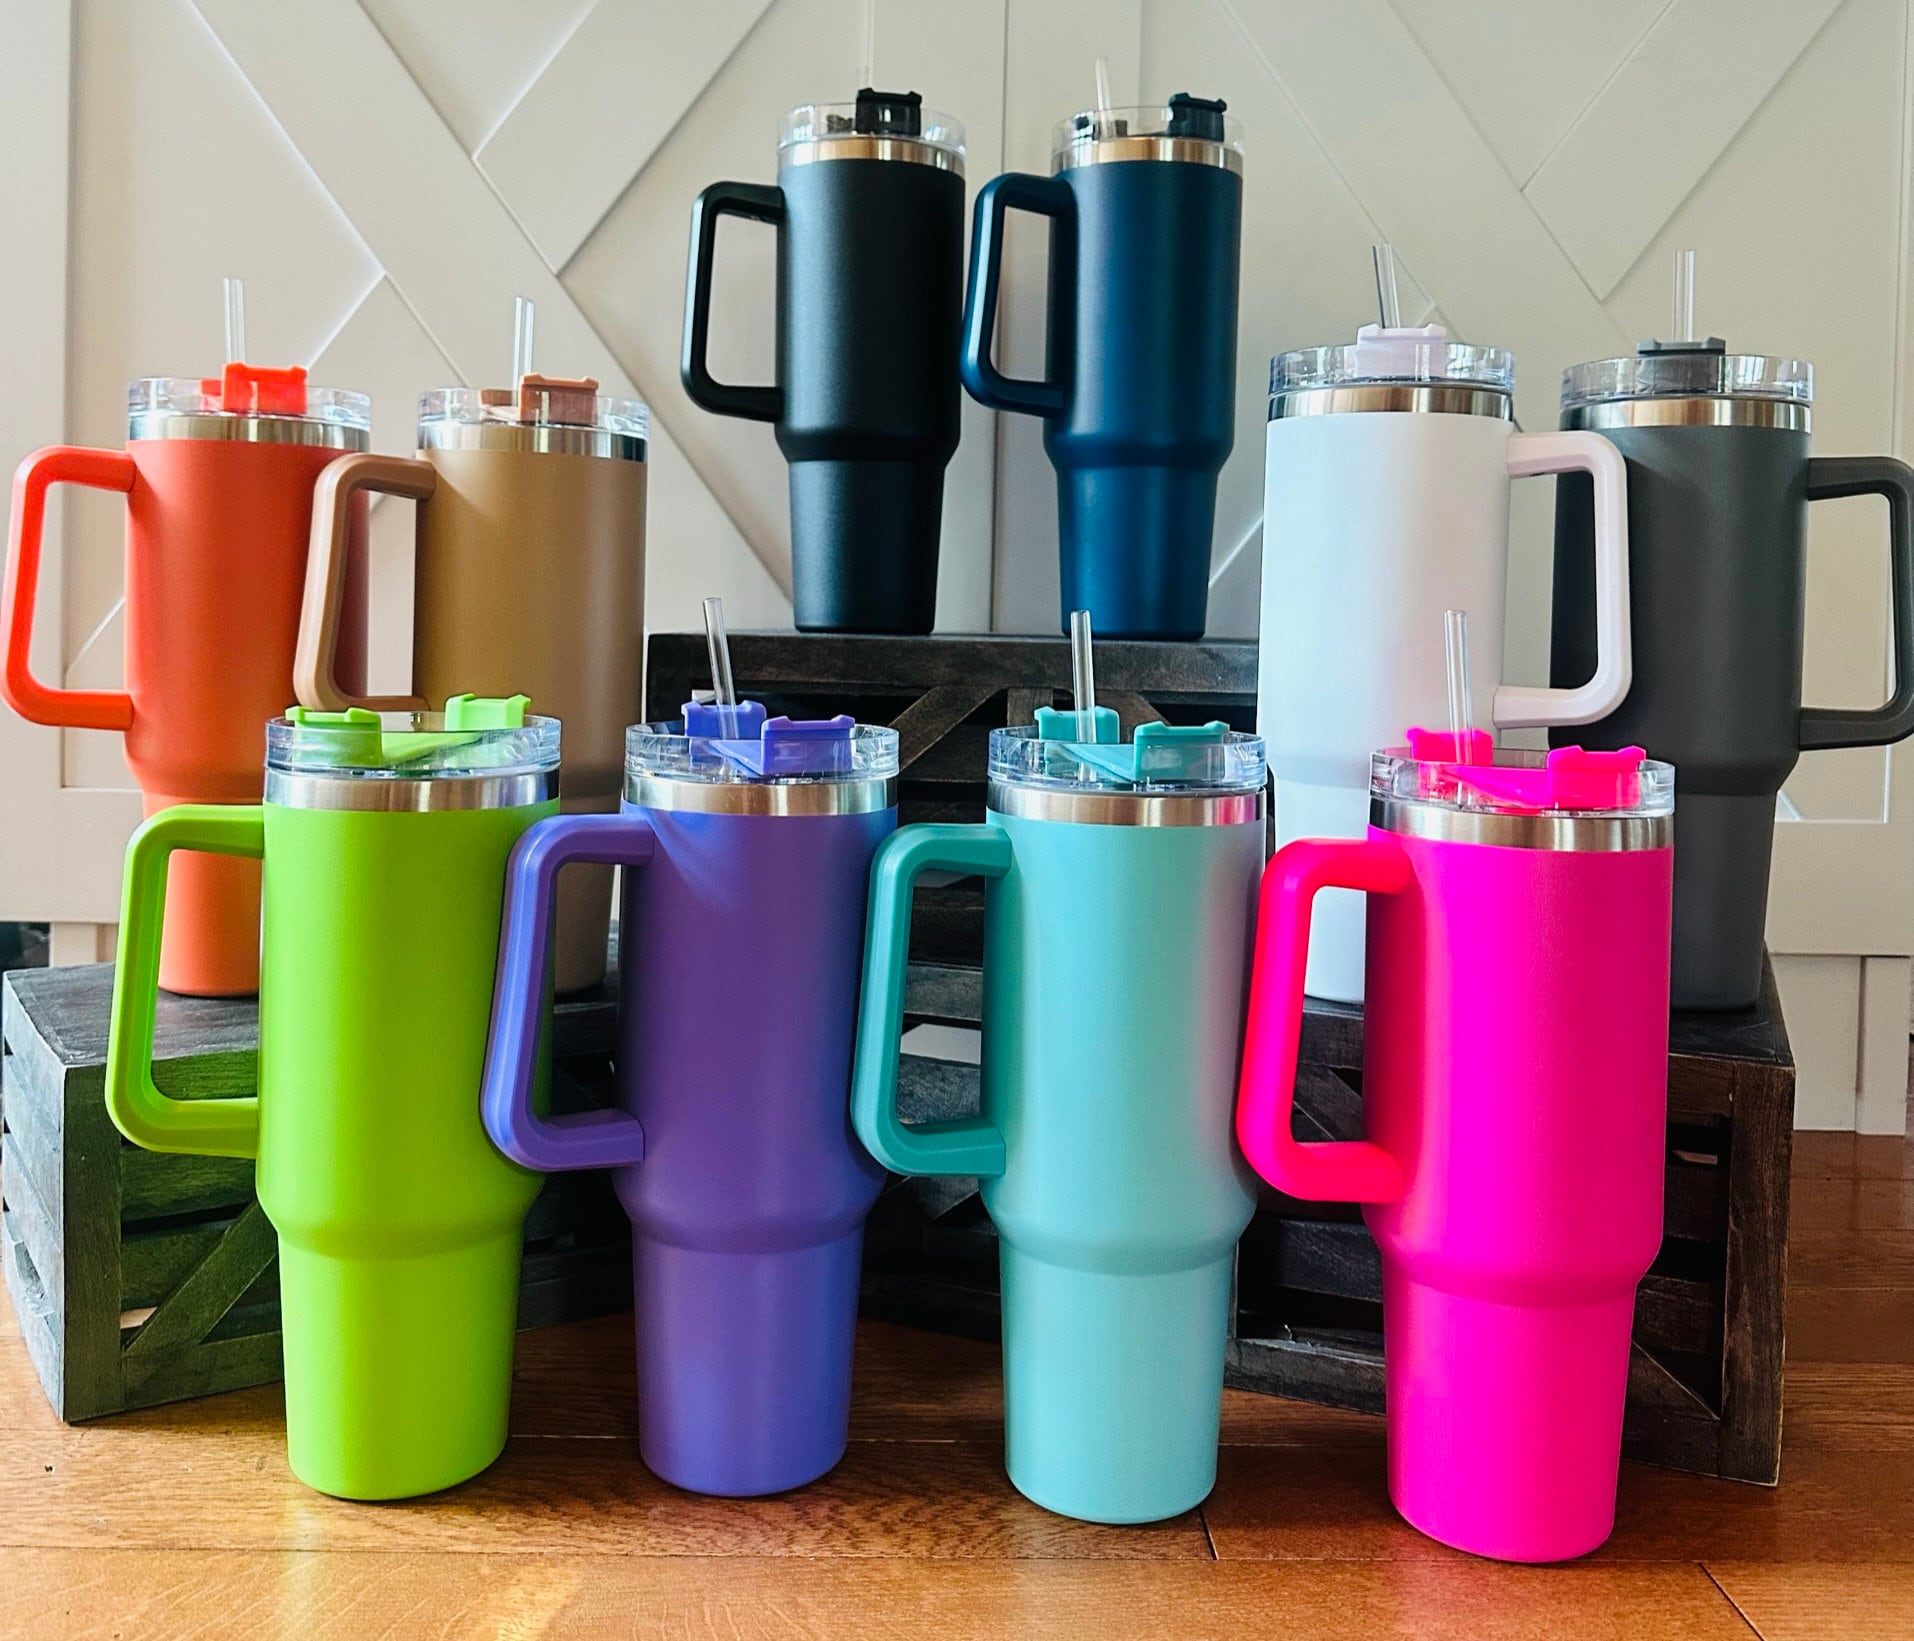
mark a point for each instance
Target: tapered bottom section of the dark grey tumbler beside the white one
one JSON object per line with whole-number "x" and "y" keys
{"x": 1724, "y": 849}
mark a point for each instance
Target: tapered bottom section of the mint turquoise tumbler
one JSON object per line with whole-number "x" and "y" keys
{"x": 1113, "y": 1387}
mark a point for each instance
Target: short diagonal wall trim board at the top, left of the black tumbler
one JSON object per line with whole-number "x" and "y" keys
{"x": 604, "y": 106}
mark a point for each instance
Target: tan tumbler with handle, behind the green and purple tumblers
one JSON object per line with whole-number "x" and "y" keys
{"x": 531, "y": 579}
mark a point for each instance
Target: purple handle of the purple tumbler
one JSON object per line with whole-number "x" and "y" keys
{"x": 592, "y": 1138}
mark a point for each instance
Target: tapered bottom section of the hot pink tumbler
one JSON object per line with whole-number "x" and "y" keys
{"x": 1505, "y": 1422}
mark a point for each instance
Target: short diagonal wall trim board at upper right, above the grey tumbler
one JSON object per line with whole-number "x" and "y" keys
{"x": 1662, "y": 124}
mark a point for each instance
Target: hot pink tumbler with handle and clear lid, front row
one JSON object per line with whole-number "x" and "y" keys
{"x": 1515, "y": 1089}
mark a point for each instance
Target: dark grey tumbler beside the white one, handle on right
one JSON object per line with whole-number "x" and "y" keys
{"x": 1720, "y": 482}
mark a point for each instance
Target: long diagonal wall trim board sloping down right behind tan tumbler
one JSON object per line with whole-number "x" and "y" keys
{"x": 445, "y": 212}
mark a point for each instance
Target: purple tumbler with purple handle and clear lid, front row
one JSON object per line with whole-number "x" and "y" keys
{"x": 747, "y": 851}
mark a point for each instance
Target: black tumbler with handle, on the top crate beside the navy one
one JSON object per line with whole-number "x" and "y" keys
{"x": 870, "y": 300}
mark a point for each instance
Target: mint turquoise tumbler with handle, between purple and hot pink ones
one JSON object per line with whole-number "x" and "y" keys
{"x": 1121, "y": 907}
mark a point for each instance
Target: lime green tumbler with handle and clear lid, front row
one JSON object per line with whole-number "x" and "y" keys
{"x": 386, "y": 843}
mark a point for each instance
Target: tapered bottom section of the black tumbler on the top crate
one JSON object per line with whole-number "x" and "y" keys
{"x": 864, "y": 545}
